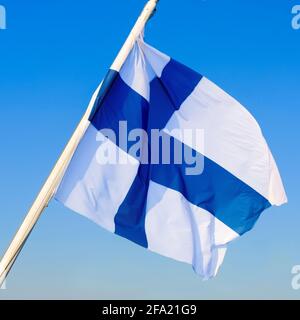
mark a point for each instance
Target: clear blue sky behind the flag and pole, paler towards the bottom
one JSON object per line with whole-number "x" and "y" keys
{"x": 53, "y": 55}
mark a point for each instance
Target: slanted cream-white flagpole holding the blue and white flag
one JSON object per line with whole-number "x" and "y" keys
{"x": 52, "y": 182}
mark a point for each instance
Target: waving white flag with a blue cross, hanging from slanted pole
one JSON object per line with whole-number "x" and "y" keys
{"x": 159, "y": 205}
